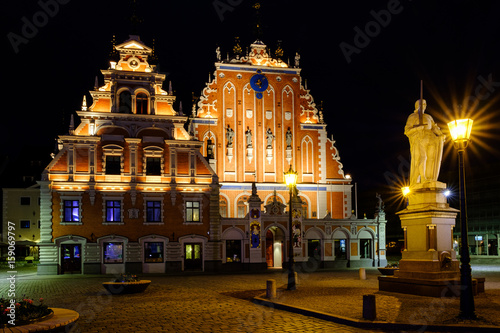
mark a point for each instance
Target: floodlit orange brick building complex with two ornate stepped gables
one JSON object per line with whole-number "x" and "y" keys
{"x": 142, "y": 188}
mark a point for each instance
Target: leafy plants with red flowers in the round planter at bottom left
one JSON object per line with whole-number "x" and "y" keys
{"x": 24, "y": 312}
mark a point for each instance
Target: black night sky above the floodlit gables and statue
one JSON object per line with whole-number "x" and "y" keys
{"x": 453, "y": 46}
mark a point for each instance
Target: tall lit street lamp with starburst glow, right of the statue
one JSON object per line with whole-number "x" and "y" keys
{"x": 460, "y": 131}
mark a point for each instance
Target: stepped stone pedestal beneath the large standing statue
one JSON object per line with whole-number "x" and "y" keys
{"x": 428, "y": 266}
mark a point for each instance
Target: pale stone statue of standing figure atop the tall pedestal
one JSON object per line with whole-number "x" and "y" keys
{"x": 426, "y": 146}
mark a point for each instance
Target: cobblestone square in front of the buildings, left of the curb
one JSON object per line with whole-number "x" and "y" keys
{"x": 208, "y": 303}
